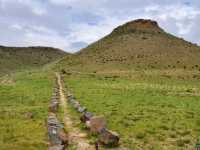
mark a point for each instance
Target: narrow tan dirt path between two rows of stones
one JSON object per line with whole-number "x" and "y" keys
{"x": 76, "y": 136}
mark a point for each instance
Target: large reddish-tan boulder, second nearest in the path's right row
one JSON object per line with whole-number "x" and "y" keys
{"x": 97, "y": 123}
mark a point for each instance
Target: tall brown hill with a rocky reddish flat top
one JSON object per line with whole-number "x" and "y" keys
{"x": 139, "y": 44}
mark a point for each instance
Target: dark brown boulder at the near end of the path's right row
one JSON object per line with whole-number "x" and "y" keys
{"x": 108, "y": 138}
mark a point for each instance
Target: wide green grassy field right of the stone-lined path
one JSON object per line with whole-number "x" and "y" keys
{"x": 151, "y": 110}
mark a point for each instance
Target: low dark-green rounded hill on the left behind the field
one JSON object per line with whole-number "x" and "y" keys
{"x": 13, "y": 58}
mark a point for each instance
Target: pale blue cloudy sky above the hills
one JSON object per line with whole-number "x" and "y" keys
{"x": 73, "y": 24}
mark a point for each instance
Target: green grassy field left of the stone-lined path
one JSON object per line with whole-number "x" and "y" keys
{"x": 24, "y": 99}
